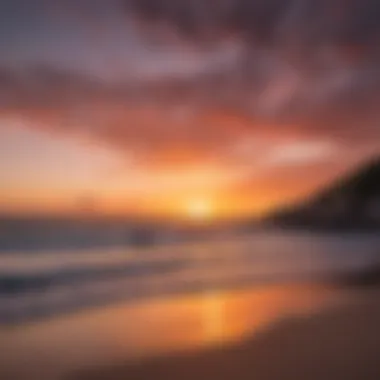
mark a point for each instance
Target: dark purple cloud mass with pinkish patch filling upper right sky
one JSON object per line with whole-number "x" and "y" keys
{"x": 294, "y": 50}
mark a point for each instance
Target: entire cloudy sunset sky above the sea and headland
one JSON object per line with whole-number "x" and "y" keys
{"x": 149, "y": 106}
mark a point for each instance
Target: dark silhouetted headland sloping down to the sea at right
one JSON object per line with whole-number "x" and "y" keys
{"x": 352, "y": 202}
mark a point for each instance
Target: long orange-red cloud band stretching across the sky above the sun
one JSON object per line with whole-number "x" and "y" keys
{"x": 179, "y": 121}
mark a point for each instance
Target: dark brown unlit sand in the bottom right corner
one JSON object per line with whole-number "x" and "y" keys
{"x": 340, "y": 342}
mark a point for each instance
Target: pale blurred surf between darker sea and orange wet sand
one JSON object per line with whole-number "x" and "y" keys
{"x": 40, "y": 283}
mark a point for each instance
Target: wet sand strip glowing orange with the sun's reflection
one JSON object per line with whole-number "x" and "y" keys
{"x": 102, "y": 337}
